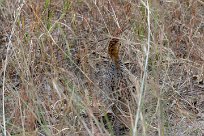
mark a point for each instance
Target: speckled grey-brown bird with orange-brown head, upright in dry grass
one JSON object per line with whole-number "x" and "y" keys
{"x": 116, "y": 87}
